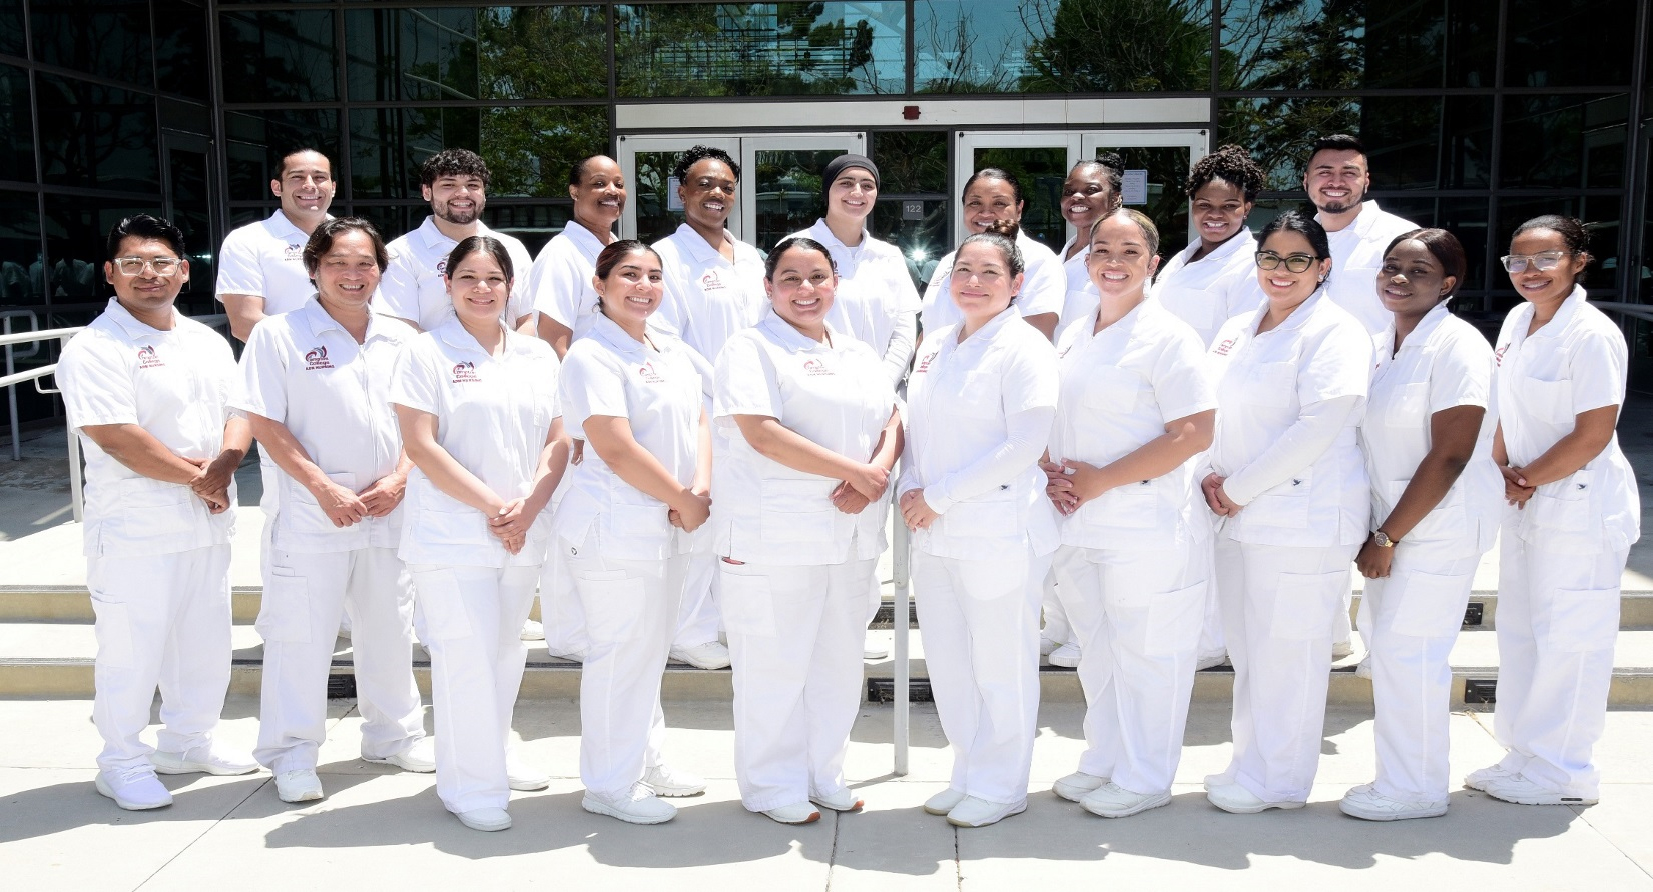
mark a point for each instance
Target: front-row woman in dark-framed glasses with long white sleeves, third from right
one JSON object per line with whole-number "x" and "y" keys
{"x": 1290, "y": 488}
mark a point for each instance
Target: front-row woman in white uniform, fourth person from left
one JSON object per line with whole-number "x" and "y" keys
{"x": 634, "y": 396}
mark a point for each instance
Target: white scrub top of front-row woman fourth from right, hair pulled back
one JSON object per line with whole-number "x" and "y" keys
{"x": 1120, "y": 389}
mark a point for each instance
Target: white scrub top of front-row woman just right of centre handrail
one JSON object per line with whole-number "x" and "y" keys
{"x": 960, "y": 399}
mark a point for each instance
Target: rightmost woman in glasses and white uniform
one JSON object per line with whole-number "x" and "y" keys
{"x": 1570, "y": 526}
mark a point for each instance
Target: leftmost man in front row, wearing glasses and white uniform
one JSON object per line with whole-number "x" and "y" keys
{"x": 148, "y": 392}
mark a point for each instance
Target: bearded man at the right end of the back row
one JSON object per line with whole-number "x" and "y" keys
{"x": 1360, "y": 232}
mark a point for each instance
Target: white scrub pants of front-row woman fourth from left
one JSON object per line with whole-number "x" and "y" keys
{"x": 631, "y": 614}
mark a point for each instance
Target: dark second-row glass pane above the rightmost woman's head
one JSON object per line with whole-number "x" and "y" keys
{"x": 1565, "y": 141}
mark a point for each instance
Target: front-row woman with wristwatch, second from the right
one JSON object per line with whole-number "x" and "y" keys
{"x": 1429, "y": 457}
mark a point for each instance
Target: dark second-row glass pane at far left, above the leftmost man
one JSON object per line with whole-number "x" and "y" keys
{"x": 93, "y": 136}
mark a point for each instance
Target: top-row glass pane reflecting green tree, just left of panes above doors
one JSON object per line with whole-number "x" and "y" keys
{"x": 515, "y": 64}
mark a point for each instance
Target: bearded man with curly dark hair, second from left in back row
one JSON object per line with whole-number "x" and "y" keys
{"x": 455, "y": 183}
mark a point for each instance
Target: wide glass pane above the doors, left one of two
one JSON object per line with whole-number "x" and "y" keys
{"x": 761, "y": 49}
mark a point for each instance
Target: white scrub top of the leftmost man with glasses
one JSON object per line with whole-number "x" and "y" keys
{"x": 178, "y": 387}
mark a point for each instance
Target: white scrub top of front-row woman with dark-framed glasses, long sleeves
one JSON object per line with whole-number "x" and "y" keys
{"x": 1264, "y": 381}
